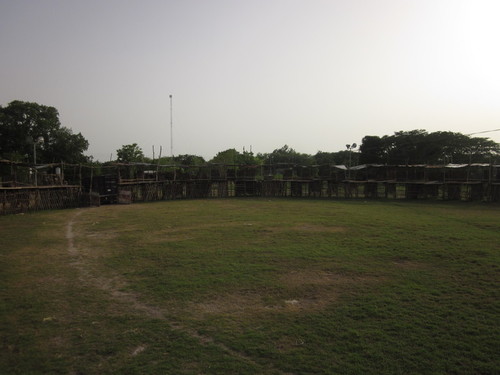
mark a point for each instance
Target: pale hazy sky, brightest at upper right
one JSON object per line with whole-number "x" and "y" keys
{"x": 313, "y": 74}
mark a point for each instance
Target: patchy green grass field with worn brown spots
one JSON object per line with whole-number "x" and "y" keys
{"x": 252, "y": 286}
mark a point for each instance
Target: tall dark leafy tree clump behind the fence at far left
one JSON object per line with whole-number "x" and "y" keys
{"x": 22, "y": 123}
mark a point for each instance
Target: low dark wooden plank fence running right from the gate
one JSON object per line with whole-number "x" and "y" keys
{"x": 171, "y": 190}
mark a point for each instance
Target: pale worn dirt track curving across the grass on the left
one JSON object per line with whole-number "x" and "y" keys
{"x": 113, "y": 284}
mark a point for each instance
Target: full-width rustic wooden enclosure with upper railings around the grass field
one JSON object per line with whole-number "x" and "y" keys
{"x": 139, "y": 183}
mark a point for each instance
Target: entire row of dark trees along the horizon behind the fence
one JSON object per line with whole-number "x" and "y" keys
{"x": 30, "y": 131}
